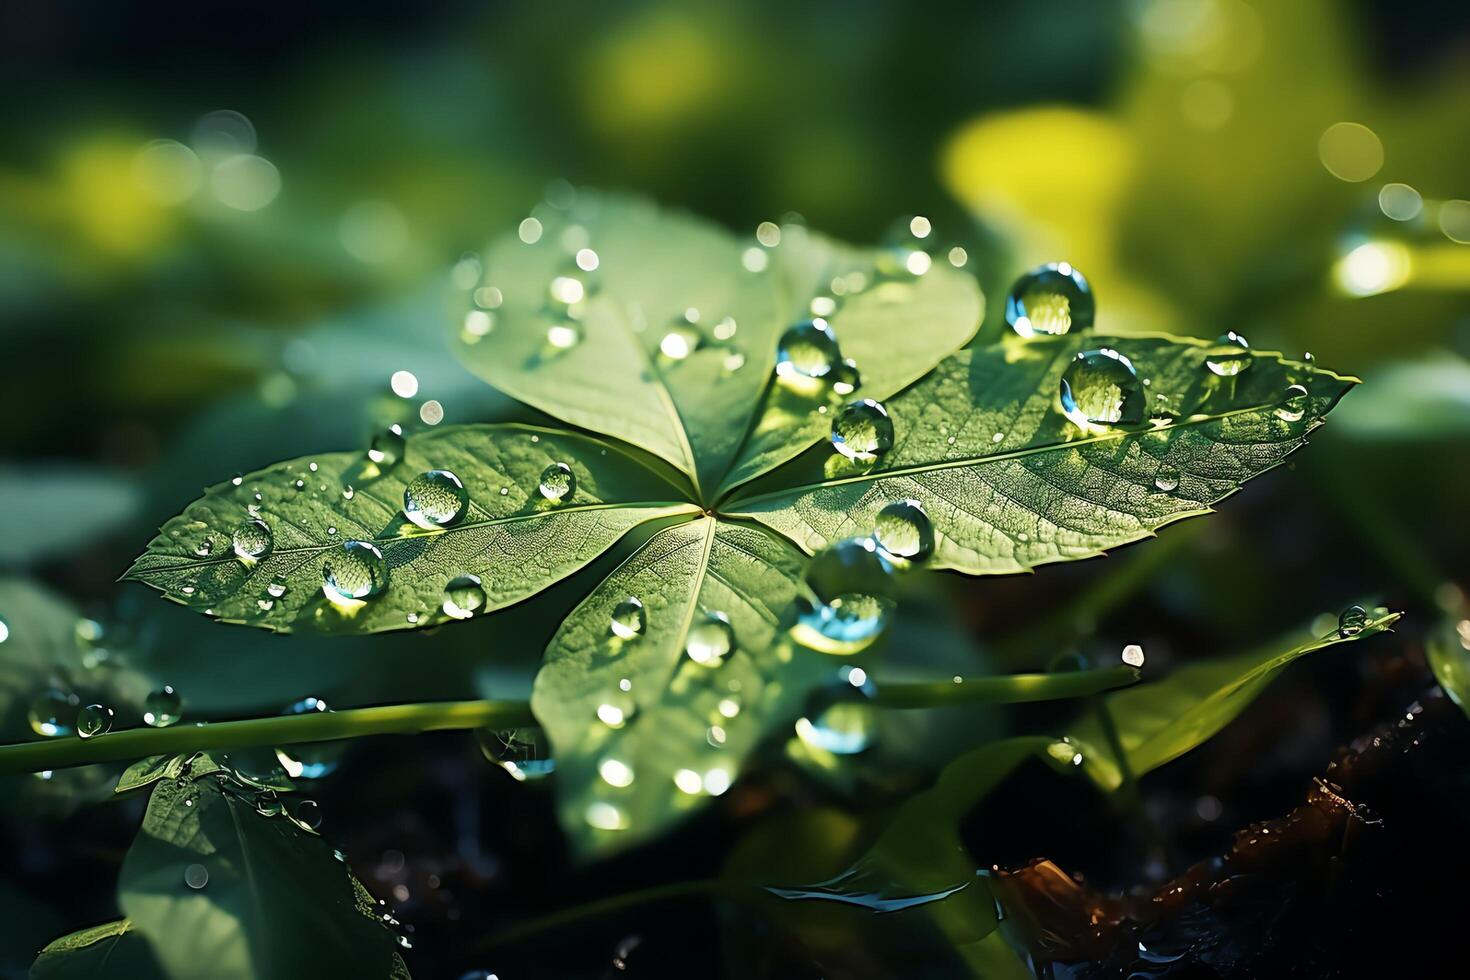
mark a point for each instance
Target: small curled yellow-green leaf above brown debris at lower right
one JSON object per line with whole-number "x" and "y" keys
{"x": 1161, "y": 722}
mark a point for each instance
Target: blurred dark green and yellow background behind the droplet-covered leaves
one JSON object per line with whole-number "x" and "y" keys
{"x": 223, "y": 231}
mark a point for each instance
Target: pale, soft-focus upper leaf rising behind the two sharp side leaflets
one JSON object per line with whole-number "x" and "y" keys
{"x": 653, "y": 268}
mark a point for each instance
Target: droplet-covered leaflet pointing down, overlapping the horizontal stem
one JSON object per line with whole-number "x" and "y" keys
{"x": 681, "y": 721}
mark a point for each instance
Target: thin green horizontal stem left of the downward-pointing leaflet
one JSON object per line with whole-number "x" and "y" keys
{"x": 135, "y": 744}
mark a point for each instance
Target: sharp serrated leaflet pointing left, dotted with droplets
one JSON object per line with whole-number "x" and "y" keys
{"x": 509, "y": 536}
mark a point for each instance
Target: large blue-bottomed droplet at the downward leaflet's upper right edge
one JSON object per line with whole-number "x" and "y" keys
{"x": 849, "y": 599}
